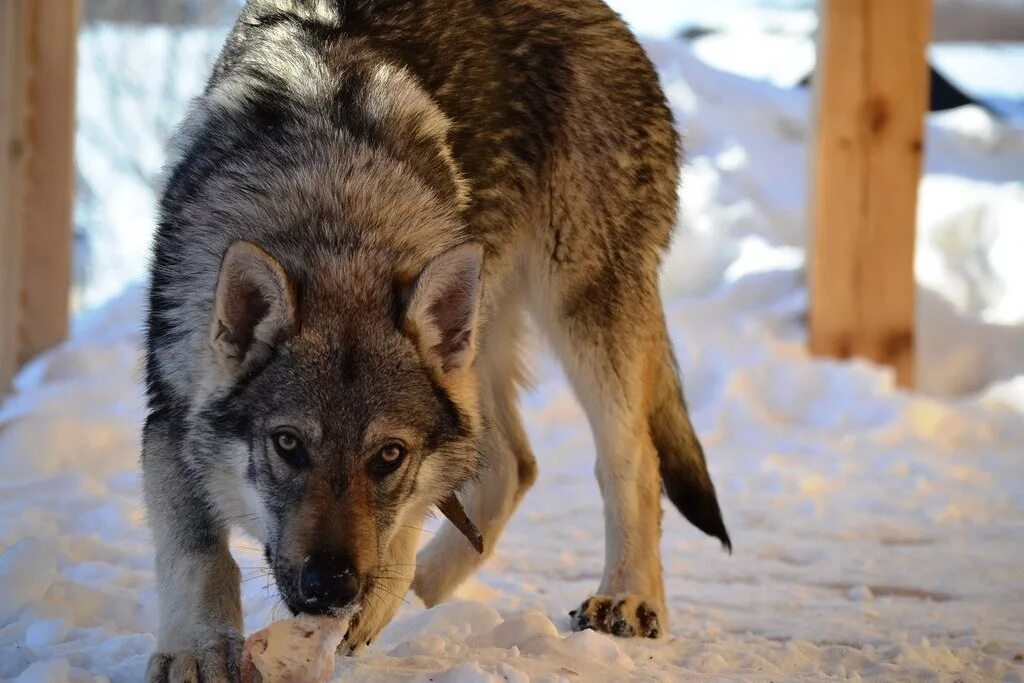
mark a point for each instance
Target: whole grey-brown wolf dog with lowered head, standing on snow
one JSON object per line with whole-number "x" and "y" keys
{"x": 361, "y": 211}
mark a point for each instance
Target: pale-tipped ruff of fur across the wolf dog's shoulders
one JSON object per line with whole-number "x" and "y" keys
{"x": 310, "y": 59}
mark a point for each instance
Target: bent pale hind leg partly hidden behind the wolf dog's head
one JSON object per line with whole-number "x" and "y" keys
{"x": 509, "y": 467}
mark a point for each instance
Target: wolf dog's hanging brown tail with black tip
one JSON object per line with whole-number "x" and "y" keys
{"x": 685, "y": 473}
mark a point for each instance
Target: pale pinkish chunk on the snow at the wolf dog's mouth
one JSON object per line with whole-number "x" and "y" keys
{"x": 293, "y": 651}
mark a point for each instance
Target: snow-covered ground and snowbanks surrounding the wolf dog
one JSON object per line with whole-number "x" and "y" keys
{"x": 879, "y": 535}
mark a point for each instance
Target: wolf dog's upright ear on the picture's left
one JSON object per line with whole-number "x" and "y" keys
{"x": 254, "y": 311}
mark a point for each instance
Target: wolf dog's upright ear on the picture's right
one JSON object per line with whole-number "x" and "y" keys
{"x": 444, "y": 307}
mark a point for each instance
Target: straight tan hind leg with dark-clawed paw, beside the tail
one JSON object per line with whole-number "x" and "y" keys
{"x": 604, "y": 334}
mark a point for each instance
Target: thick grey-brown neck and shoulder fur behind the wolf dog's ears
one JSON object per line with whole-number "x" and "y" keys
{"x": 315, "y": 149}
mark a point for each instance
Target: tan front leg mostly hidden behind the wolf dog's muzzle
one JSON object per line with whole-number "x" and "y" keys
{"x": 391, "y": 582}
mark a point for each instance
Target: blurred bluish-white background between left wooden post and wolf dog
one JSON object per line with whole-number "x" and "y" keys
{"x": 140, "y": 64}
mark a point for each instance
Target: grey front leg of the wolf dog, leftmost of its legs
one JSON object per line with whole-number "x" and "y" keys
{"x": 198, "y": 582}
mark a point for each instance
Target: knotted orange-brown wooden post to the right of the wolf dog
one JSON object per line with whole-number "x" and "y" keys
{"x": 871, "y": 100}
